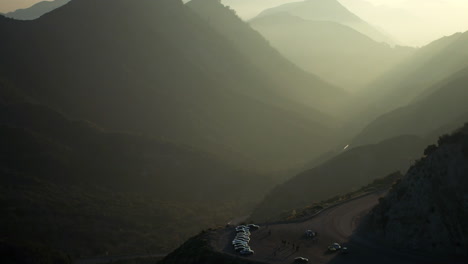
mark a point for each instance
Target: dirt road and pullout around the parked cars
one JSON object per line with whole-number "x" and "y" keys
{"x": 334, "y": 225}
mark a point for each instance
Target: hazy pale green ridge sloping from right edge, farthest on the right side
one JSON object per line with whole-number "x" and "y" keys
{"x": 424, "y": 69}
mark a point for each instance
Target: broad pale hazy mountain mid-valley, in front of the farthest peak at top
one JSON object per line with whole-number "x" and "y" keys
{"x": 332, "y": 50}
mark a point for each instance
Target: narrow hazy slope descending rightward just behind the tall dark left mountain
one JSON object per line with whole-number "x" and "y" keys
{"x": 303, "y": 88}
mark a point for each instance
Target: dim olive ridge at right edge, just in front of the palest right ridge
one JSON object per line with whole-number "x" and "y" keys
{"x": 445, "y": 106}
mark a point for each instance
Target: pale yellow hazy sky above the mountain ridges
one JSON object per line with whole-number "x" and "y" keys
{"x": 412, "y": 22}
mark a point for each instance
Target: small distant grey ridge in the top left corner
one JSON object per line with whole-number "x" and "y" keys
{"x": 36, "y": 10}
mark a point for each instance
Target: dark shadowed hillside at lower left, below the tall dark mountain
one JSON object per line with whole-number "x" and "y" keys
{"x": 74, "y": 187}
